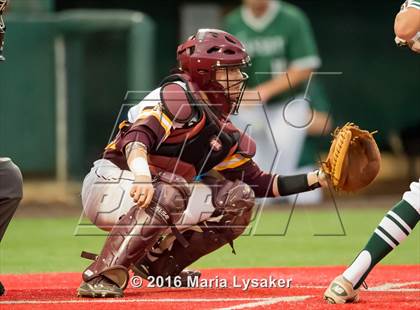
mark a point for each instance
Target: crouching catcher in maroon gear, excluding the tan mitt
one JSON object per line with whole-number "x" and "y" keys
{"x": 179, "y": 131}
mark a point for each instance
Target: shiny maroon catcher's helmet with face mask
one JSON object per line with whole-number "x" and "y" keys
{"x": 210, "y": 50}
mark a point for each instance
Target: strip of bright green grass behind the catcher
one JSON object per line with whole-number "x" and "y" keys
{"x": 45, "y": 245}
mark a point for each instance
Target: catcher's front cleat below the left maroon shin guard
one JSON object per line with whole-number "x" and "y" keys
{"x": 99, "y": 287}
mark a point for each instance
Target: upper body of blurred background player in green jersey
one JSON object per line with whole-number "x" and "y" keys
{"x": 279, "y": 39}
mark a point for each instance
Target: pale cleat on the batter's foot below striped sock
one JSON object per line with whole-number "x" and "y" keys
{"x": 341, "y": 291}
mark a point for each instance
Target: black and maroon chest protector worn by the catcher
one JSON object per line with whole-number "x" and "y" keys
{"x": 203, "y": 142}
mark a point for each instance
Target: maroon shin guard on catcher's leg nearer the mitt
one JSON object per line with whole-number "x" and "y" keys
{"x": 232, "y": 200}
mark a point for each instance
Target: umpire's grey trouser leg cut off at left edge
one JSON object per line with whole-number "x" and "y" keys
{"x": 10, "y": 192}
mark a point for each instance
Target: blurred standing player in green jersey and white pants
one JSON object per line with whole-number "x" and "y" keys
{"x": 281, "y": 44}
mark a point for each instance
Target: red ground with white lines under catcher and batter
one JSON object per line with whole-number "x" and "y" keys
{"x": 393, "y": 287}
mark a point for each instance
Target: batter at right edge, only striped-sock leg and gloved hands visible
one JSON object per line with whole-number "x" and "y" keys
{"x": 404, "y": 216}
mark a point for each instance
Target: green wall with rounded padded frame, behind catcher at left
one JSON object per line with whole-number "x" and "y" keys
{"x": 106, "y": 53}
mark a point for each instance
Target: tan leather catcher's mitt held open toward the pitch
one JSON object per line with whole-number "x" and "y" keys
{"x": 354, "y": 159}
